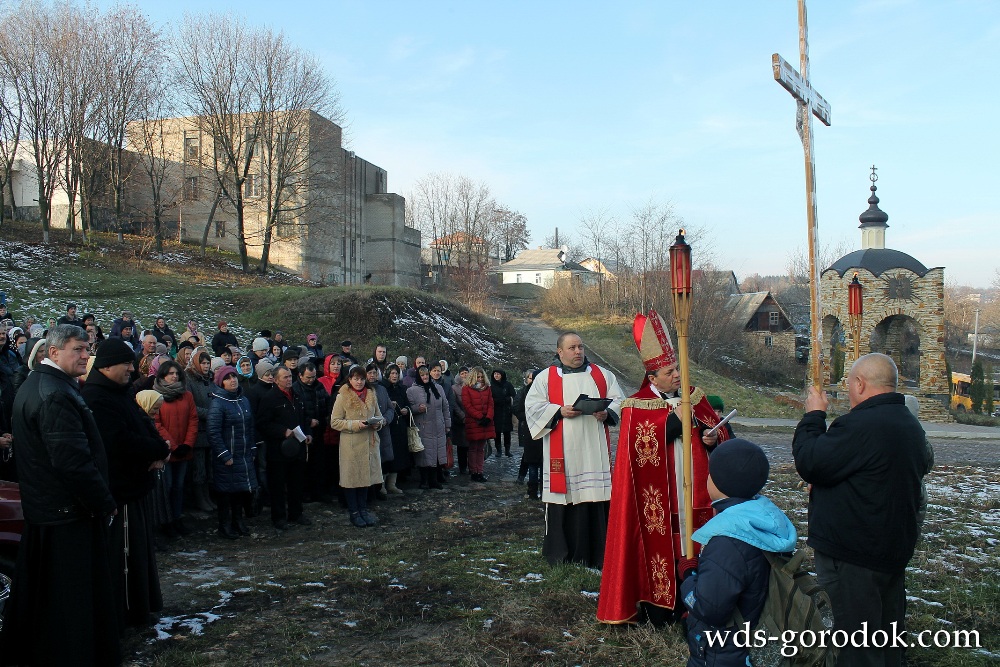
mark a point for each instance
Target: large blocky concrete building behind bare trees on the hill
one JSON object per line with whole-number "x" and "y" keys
{"x": 334, "y": 221}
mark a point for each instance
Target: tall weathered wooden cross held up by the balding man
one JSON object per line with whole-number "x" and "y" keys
{"x": 810, "y": 103}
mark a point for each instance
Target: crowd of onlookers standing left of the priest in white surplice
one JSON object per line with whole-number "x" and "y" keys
{"x": 164, "y": 425}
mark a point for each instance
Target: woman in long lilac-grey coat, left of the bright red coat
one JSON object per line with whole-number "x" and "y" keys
{"x": 433, "y": 416}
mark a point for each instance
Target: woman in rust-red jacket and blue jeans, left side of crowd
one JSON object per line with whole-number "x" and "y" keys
{"x": 178, "y": 424}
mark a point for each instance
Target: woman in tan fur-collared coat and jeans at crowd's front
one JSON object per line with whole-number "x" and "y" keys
{"x": 356, "y": 415}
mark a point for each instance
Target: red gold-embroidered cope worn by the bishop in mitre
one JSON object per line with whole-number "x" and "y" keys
{"x": 644, "y": 536}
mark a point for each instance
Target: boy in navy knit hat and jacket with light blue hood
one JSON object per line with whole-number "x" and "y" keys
{"x": 732, "y": 572}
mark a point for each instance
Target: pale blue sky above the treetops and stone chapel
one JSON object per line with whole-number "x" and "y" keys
{"x": 569, "y": 109}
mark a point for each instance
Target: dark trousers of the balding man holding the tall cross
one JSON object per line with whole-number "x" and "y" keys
{"x": 859, "y": 595}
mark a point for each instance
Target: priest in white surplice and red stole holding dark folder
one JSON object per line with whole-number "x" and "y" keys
{"x": 576, "y": 466}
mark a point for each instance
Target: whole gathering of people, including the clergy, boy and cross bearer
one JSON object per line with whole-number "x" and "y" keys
{"x": 115, "y": 438}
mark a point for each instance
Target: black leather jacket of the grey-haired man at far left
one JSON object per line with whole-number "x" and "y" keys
{"x": 61, "y": 463}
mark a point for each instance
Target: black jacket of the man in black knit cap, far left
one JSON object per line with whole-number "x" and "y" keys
{"x": 130, "y": 438}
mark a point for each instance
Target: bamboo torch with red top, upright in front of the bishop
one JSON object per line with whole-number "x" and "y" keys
{"x": 680, "y": 284}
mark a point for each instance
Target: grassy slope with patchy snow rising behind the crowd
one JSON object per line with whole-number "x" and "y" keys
{"x": 105, "y": 278}
